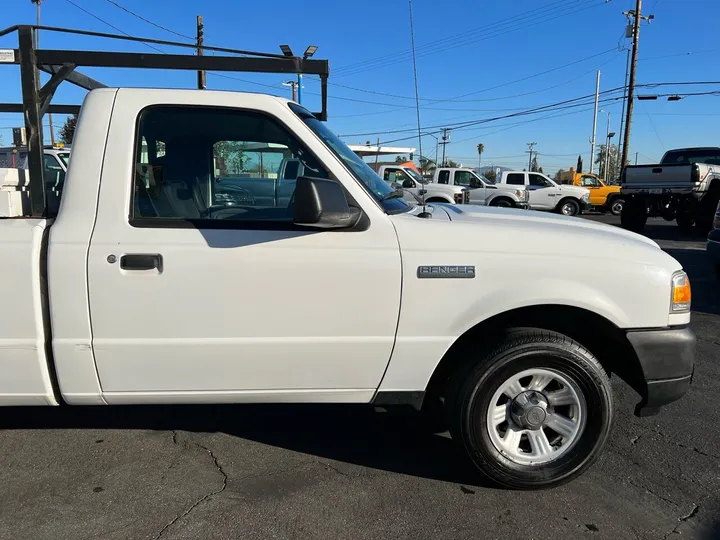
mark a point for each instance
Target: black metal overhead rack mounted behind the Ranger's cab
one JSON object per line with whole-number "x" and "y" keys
{"x": 62, "y": 64}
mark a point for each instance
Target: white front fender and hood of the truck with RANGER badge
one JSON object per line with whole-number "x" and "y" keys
{"x": 521, "y": 259}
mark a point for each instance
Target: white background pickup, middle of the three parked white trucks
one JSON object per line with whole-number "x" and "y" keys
{"x": 482, "y": 191}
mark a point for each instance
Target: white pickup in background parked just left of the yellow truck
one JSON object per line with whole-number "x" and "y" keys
{"x": 546, "y": 194}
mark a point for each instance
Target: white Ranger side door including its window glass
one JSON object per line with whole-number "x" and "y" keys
{"x": 191, "y": 301}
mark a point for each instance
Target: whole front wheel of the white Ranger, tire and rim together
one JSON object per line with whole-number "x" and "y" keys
{"x": 535, "y": 412}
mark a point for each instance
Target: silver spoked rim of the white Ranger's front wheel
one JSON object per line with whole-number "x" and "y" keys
{"x": 536, "y": 416}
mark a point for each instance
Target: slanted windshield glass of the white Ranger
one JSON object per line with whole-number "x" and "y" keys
{"x": 360, "y": 170}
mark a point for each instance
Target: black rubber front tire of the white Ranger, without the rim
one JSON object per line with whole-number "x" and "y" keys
{"x": 521, "y": 349}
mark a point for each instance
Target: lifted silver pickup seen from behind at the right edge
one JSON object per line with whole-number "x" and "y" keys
{"x": 684, "y": 186}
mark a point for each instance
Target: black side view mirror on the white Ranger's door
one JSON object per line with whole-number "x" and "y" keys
{"x": 321, "y": 203}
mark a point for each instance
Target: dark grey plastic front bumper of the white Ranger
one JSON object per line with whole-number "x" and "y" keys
{"x": 667, "y": 360}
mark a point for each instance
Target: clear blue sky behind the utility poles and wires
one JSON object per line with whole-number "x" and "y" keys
{"x": 476, "y": 61}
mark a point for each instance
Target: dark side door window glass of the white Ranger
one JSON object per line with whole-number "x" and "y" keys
{"x": 201, "y": 163}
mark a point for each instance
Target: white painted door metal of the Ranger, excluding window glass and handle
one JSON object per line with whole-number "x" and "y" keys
{"x": 238, "y": 310}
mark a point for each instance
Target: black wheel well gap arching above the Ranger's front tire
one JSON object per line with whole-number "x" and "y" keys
{"x": 600, "y": 336}
